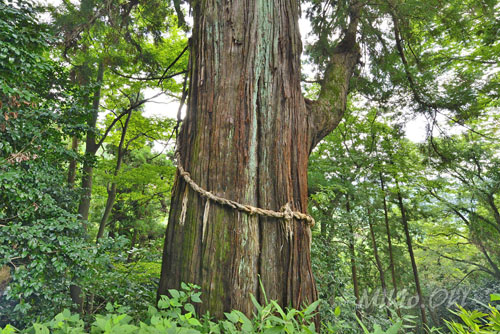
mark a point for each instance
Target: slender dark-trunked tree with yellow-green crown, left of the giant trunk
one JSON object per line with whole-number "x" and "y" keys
{"x": 117, "y": 50}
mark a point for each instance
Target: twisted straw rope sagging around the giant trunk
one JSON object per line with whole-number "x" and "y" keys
{"x": 286, "y": 212}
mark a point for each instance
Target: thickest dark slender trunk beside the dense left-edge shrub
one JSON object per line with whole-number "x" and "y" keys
{"x": 90, "y": 149}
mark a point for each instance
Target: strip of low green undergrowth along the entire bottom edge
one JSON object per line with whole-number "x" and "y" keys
{"x": 177, "y": 314}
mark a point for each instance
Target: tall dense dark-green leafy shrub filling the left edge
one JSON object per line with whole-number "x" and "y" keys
{"x": 42, "y": 243}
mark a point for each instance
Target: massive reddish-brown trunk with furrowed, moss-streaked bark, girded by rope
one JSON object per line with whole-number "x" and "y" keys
{"x": 246, "y": 137}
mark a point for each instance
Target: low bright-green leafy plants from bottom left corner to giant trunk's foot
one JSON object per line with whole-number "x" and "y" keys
{"x": 177, "y": 314}
